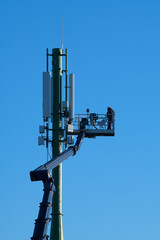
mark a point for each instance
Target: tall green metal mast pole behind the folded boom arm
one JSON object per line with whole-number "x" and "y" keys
{"x": 56, "y": 223}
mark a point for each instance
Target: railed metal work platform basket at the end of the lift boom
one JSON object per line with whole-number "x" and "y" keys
{"x": 98, "y": 125}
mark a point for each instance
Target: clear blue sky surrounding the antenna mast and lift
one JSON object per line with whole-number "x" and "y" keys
{"x": 111, "y": 187}
